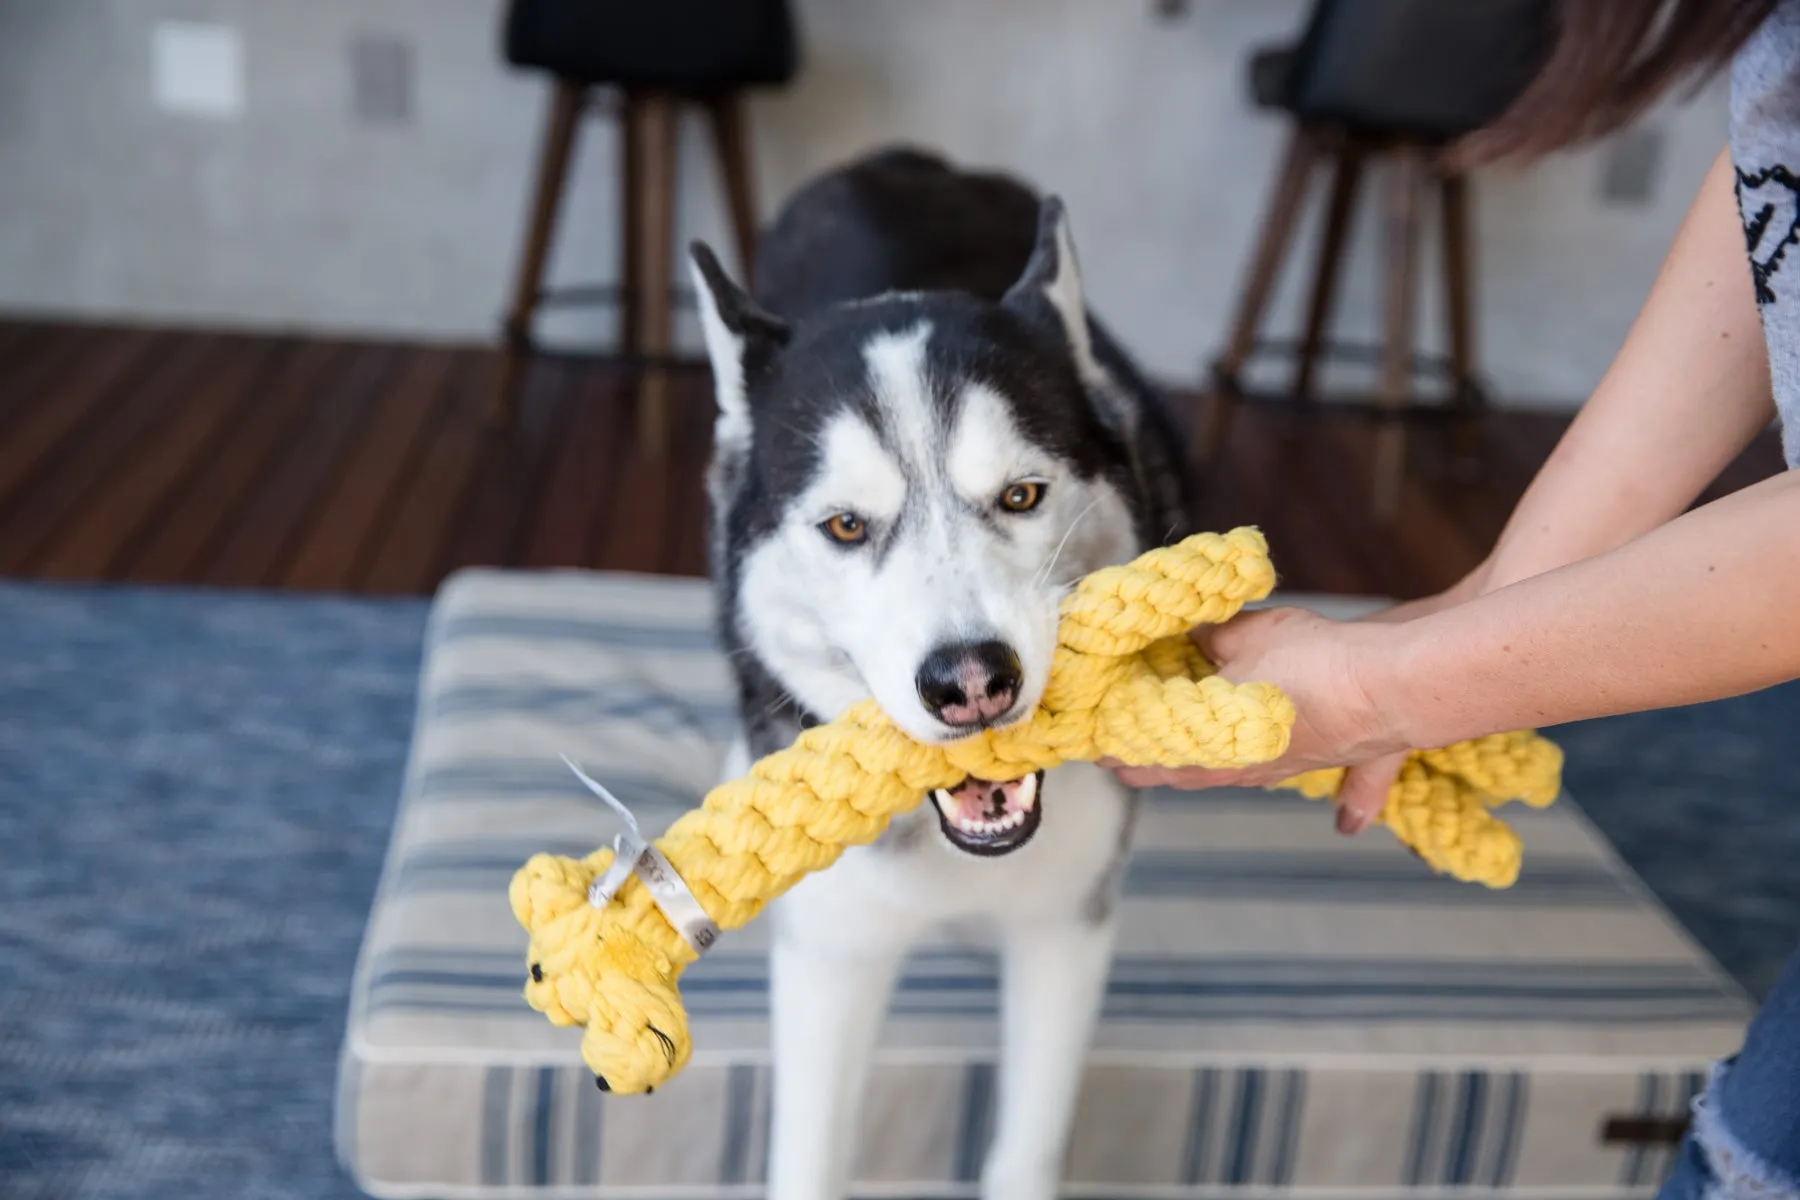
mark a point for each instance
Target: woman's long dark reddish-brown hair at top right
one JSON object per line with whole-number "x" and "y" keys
{"x": 1610, "y": 62}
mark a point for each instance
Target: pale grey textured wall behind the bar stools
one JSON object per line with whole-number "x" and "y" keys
{"x": 300, "y": 215}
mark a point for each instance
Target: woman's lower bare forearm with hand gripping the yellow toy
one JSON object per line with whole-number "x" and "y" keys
{"x": 1696, "y": 611}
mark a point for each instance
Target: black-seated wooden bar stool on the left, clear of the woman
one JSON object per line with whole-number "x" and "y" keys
{"x": 654, "y": 62}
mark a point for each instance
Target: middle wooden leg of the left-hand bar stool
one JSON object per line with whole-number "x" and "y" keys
{"x": 656, "y": 129}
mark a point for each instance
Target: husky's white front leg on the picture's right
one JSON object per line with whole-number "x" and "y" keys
{"x": 1056, "y": 981}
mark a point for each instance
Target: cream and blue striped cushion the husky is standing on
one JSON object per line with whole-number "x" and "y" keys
{"x": 1288, "y": 1010}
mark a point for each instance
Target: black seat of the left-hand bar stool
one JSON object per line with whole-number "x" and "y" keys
{"x": 681, "y": 46}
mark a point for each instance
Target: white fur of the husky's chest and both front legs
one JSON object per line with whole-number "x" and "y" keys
{"x": 840, "y": 942}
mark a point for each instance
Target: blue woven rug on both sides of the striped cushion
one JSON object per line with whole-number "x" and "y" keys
{"x": 195, "y": 798}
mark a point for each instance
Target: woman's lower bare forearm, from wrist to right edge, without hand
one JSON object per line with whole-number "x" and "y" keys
{"x": 1696, "y": 611}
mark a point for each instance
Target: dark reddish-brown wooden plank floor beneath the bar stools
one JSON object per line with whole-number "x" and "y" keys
{"x": 265, "y": 461}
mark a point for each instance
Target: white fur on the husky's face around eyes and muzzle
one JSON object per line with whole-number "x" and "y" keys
{"x": 841, "y": 625}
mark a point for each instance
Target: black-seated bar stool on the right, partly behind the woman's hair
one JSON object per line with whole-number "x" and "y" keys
{"x": 1381, "y": 84}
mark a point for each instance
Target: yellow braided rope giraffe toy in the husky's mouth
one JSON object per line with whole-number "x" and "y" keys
{"x": 609, "y": 938}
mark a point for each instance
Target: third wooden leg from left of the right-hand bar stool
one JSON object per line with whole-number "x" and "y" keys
{"x": 1401, "y": 298}
